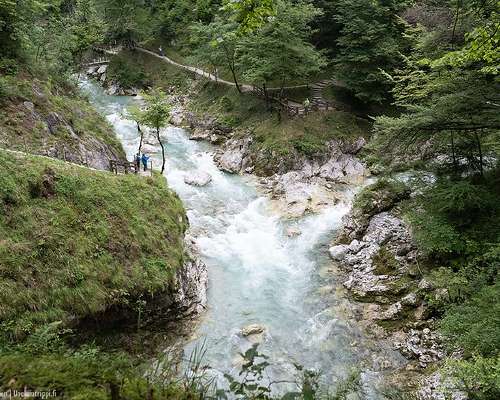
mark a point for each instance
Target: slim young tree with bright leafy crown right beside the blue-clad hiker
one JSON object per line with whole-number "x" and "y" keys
{"x": 156, "y": 114}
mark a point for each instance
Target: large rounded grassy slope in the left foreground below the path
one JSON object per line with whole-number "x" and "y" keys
{"x": 81, "y": 241}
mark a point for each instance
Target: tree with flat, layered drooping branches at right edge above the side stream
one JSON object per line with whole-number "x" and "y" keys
{"x": 453, "y": 112}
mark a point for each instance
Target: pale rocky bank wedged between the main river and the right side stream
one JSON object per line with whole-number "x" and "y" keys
{"x": 297, "y": 184}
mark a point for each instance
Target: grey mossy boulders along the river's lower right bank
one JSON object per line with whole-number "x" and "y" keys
{"x": 377, "y": 254}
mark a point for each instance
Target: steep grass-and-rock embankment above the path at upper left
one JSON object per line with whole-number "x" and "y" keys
{"x": 42, "y": 117}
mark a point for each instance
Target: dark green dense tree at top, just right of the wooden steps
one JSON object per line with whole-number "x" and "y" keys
{"x": 370, "y": 46}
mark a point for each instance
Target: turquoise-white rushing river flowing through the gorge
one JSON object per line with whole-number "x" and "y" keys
{"x": 259, "y": 275}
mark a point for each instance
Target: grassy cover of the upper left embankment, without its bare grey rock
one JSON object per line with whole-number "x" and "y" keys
{"x": 21, "y": 130}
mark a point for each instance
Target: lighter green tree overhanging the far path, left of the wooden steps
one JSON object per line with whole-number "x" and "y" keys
{"x": 279, "y": 51}
